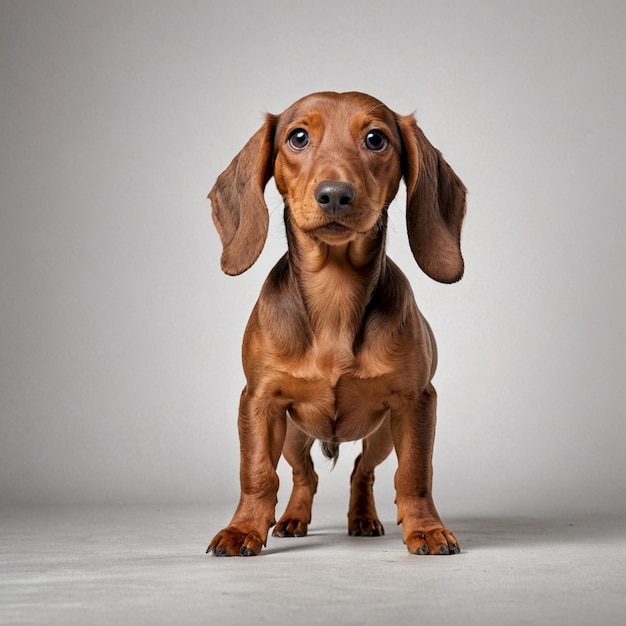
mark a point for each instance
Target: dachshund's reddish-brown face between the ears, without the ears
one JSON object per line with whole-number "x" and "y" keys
{"x": 337, "y": 164}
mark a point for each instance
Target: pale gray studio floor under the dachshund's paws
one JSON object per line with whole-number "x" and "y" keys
{"x": 146, "y": 565}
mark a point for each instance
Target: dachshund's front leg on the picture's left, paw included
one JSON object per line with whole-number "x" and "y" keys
{"x": 261, "y": 437}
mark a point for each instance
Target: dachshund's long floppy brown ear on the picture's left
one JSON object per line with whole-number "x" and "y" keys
{"x": 239, "y": 210}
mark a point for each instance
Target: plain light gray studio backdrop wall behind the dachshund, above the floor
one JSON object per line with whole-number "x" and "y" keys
{"x": 119, "y": 336}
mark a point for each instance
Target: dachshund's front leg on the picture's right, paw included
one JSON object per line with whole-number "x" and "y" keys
{"x": 413, "y": 431}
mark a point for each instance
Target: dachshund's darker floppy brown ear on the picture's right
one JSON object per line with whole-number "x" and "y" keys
{"x": 435, "y": 205}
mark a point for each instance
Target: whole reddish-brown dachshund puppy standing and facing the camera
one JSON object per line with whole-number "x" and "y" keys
{"x": 336, "y": 348}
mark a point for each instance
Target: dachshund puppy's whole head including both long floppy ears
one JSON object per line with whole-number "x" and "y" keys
{"x": 337, "y": 160}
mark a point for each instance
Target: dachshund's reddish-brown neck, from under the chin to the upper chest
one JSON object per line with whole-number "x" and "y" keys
{"x": 336, "y": 282}
